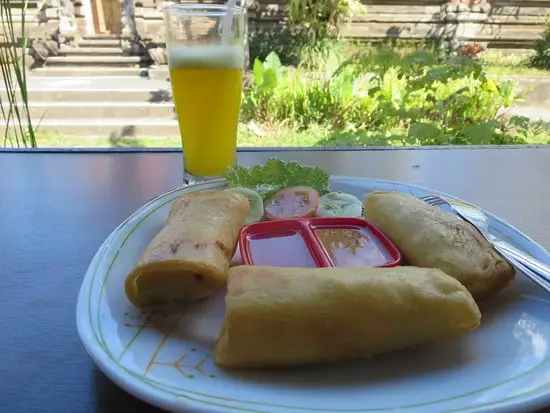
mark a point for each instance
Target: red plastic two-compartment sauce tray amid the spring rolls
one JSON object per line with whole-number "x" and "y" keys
{"x": 317, "y": 242}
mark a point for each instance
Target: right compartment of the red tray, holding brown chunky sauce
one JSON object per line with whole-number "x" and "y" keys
{"x": 354, "y": 242}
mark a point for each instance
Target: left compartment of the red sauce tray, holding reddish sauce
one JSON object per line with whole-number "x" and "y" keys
{"x": 285, "y": 243}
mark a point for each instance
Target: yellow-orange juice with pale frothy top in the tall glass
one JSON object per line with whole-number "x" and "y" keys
{"x": 207, "y": 86}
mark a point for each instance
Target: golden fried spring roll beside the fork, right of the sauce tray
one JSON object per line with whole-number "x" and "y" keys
{"x": 430, "y": 237}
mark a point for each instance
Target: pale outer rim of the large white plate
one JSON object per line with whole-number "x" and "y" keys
{"x": 159, "y": 397}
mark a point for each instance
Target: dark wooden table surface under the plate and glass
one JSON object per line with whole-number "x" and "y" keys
{"x": 57, "y": 208}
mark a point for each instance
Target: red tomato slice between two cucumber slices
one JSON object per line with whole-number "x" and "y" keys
{"x": 288, "y": 203}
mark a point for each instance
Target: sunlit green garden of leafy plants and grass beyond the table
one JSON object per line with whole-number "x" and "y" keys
{"x": 307, "y": 86}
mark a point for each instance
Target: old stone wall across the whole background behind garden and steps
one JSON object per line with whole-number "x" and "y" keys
{"x": 499, "y": 23}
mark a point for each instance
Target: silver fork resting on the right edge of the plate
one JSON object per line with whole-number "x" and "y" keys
{"x": 531, "y": 267}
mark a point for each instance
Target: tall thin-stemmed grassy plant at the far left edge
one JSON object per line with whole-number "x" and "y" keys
{"x": 19, "y": 130}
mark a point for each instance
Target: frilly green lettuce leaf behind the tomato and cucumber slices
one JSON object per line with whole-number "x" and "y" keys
{"x": 277, "y": 174}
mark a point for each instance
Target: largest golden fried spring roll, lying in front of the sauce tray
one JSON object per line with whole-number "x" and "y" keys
{"x": 279, "y": 316}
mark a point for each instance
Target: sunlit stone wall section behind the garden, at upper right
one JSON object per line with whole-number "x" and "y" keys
{"x": 500, "y": 23}
